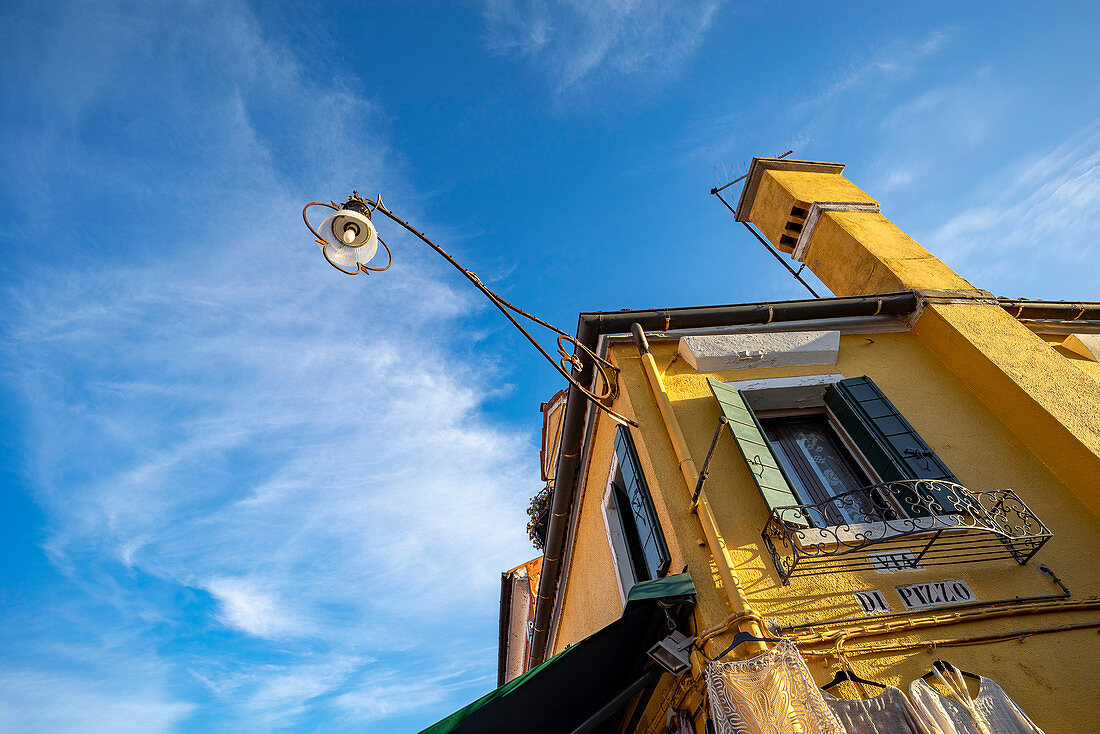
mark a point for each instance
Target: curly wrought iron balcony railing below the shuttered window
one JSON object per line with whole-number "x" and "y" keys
{"x": 915, "y": 523}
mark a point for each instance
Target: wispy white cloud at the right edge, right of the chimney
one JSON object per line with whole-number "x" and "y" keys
{"x": 1031, "y": 215}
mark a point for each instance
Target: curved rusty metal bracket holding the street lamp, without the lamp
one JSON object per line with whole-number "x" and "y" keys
{"x": 606, "y": 375}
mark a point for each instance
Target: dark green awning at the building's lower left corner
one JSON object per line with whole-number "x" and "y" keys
{"x": 568, "y": 689}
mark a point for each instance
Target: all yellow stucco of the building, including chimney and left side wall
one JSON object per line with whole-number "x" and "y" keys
{"x": 1004, "y": 408}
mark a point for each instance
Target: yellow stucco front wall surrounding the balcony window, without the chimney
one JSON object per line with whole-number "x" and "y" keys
{"x": 980, "y": 448}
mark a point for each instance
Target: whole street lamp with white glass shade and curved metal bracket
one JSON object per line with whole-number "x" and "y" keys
{"x": 350, "y": 242}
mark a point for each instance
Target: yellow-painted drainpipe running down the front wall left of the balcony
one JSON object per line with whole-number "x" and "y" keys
{"x": 735, "y": 594}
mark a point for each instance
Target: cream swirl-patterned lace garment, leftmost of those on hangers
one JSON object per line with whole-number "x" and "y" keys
{"x": 771, "y": 694}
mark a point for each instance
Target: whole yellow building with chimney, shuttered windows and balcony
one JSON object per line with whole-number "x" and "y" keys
{"x": 903, "y": 474}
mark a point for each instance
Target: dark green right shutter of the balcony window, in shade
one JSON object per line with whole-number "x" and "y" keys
{"x": 890, "y": 444}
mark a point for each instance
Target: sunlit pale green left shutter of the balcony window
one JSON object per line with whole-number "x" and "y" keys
{"x": 769, "y": 476}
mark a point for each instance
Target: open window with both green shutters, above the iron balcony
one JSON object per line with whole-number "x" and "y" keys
{"x": 846, "y": 436}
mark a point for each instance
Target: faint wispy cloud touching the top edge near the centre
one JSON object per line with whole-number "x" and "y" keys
{"x": 579, "y": 45}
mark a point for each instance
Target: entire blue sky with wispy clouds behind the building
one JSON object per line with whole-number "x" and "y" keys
{"x": 243, "y": 492}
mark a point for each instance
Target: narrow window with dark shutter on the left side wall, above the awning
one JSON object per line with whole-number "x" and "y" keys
{"x": 637, "y": 544}
